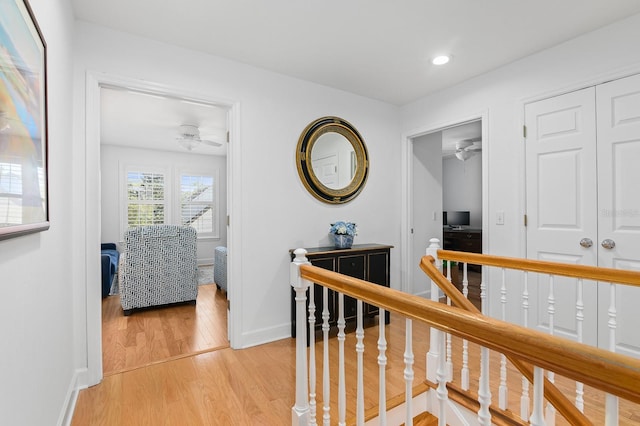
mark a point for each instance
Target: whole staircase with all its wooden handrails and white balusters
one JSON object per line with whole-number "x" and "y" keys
{"x": 506, "y": 356}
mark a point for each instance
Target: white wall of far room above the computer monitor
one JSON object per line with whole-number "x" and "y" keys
{"x": 462, "y": 187}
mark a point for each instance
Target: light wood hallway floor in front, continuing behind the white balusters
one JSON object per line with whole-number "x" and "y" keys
{"x": 255, "y": 386}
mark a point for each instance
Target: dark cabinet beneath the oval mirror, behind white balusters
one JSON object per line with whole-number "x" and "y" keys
{"x": 369, "y": 262}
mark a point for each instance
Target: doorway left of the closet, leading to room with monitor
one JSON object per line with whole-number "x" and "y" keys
{"x": 426, "y": 154}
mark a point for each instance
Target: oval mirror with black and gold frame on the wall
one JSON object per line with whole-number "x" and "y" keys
{"x": 332, "y": 160}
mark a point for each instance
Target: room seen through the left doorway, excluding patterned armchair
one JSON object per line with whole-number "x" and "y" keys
{"x": 144, "y": 146}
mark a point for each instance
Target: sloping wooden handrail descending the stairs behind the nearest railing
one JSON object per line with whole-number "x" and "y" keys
{"x": 568, "y": 410}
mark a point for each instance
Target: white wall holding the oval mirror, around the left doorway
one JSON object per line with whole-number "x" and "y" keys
{"x": 271, "y": 212}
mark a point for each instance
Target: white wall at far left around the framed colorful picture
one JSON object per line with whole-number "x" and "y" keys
{"x": 38, "y": 311}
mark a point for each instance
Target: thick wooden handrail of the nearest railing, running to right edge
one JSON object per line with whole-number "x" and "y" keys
{"x": 610, "y": 372}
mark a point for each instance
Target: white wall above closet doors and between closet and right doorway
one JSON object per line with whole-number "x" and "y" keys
{"x": 594, "y": 57}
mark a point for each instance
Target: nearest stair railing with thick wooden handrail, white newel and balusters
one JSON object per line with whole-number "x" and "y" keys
{"x": 613, "y": 373}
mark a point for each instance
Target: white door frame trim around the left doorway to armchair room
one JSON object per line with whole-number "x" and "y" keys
{"x": 90, "y": 192}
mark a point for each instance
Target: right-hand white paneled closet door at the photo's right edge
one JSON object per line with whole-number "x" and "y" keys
{"x": 618, "y": 127}
